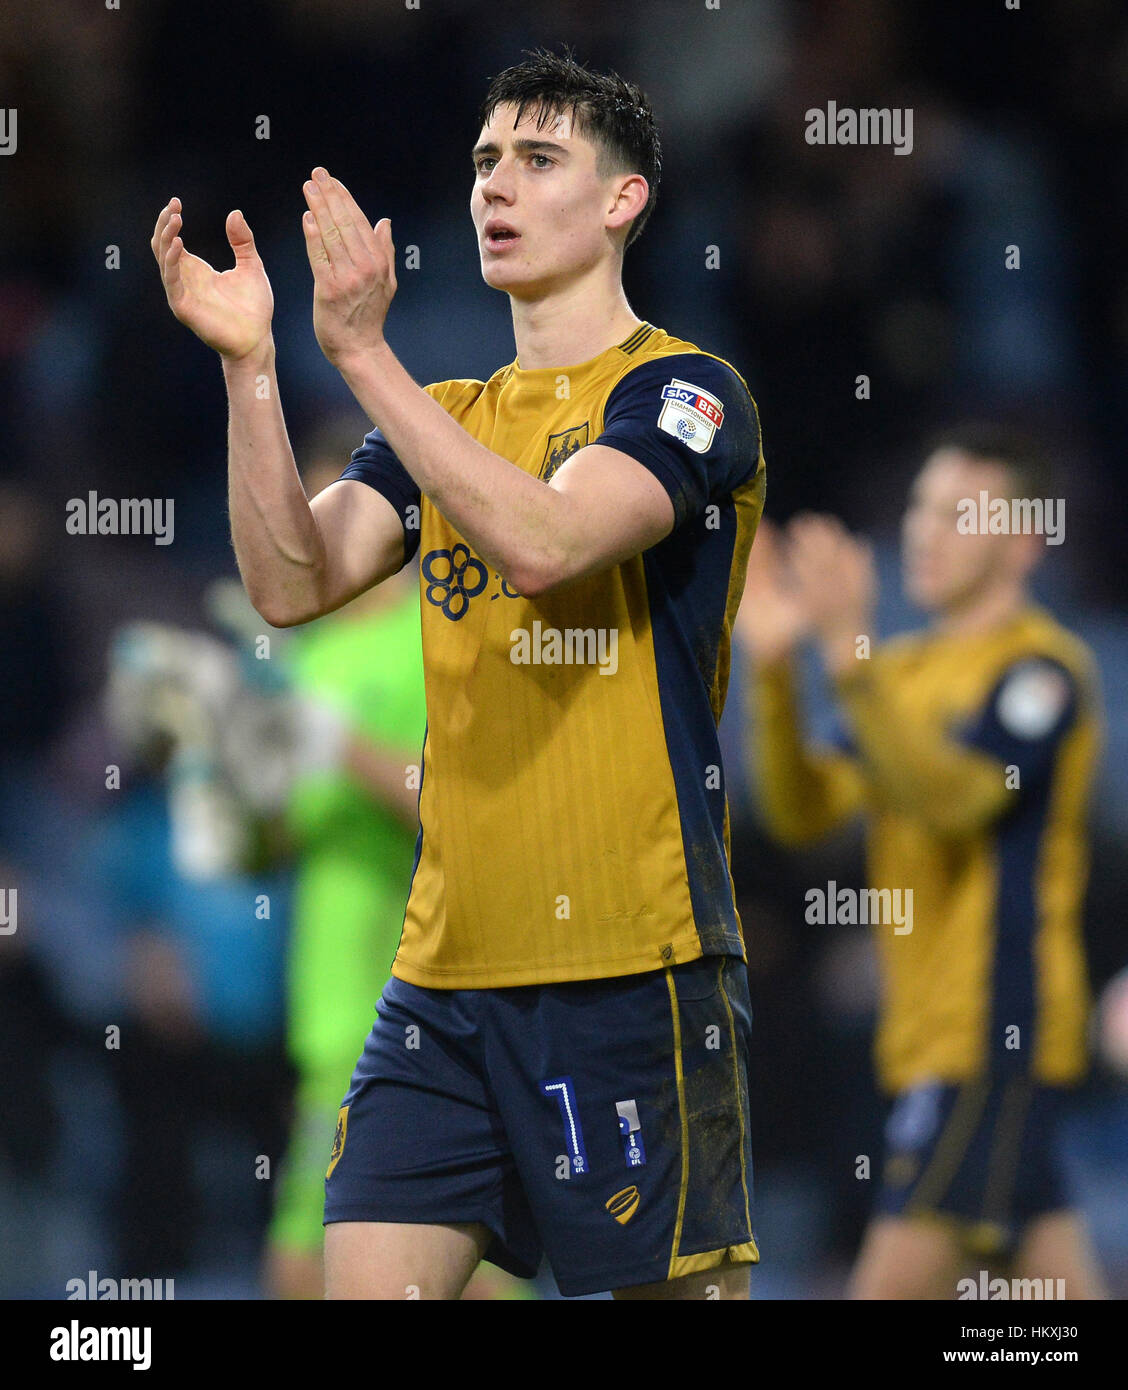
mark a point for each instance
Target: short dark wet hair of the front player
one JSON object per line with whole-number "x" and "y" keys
{"x": 612, "y": 112}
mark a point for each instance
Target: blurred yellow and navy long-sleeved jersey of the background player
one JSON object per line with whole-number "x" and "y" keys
{"x": 973, "y": 758}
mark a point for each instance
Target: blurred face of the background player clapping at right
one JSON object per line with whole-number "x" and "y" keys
{"x": 944, "y": 566}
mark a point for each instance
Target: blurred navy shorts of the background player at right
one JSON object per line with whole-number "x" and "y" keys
{"x": 984, "y": 1153}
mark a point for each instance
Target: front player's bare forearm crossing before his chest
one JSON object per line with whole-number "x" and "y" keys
{"x": 513, "y": 521}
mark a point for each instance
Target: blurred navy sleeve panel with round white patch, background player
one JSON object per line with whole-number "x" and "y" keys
{"x": 1026, "y": 718}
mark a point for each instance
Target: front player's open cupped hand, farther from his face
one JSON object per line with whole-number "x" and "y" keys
{"x": 230, "y": 311}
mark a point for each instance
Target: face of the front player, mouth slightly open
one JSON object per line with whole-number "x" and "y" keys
{"x": 538, "y": 205}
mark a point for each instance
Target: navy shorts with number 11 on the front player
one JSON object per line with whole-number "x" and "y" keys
{"x": 604, "y": 1124}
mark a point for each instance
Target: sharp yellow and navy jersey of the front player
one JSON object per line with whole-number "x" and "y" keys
{"x": 574, "y": 824}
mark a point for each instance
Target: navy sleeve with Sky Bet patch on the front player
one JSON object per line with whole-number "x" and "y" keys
{"x": 691, "y": 422}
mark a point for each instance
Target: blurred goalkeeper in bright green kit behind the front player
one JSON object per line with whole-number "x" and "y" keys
{"x": 354, "y": 826}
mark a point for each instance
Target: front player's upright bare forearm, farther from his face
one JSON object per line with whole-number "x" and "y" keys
{"x": 279, "y": 547}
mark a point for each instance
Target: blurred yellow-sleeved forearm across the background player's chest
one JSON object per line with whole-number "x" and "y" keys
{"x": 915, "y": 768}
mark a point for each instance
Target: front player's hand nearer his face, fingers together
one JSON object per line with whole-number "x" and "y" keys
{"x": 355, "y": 270}
